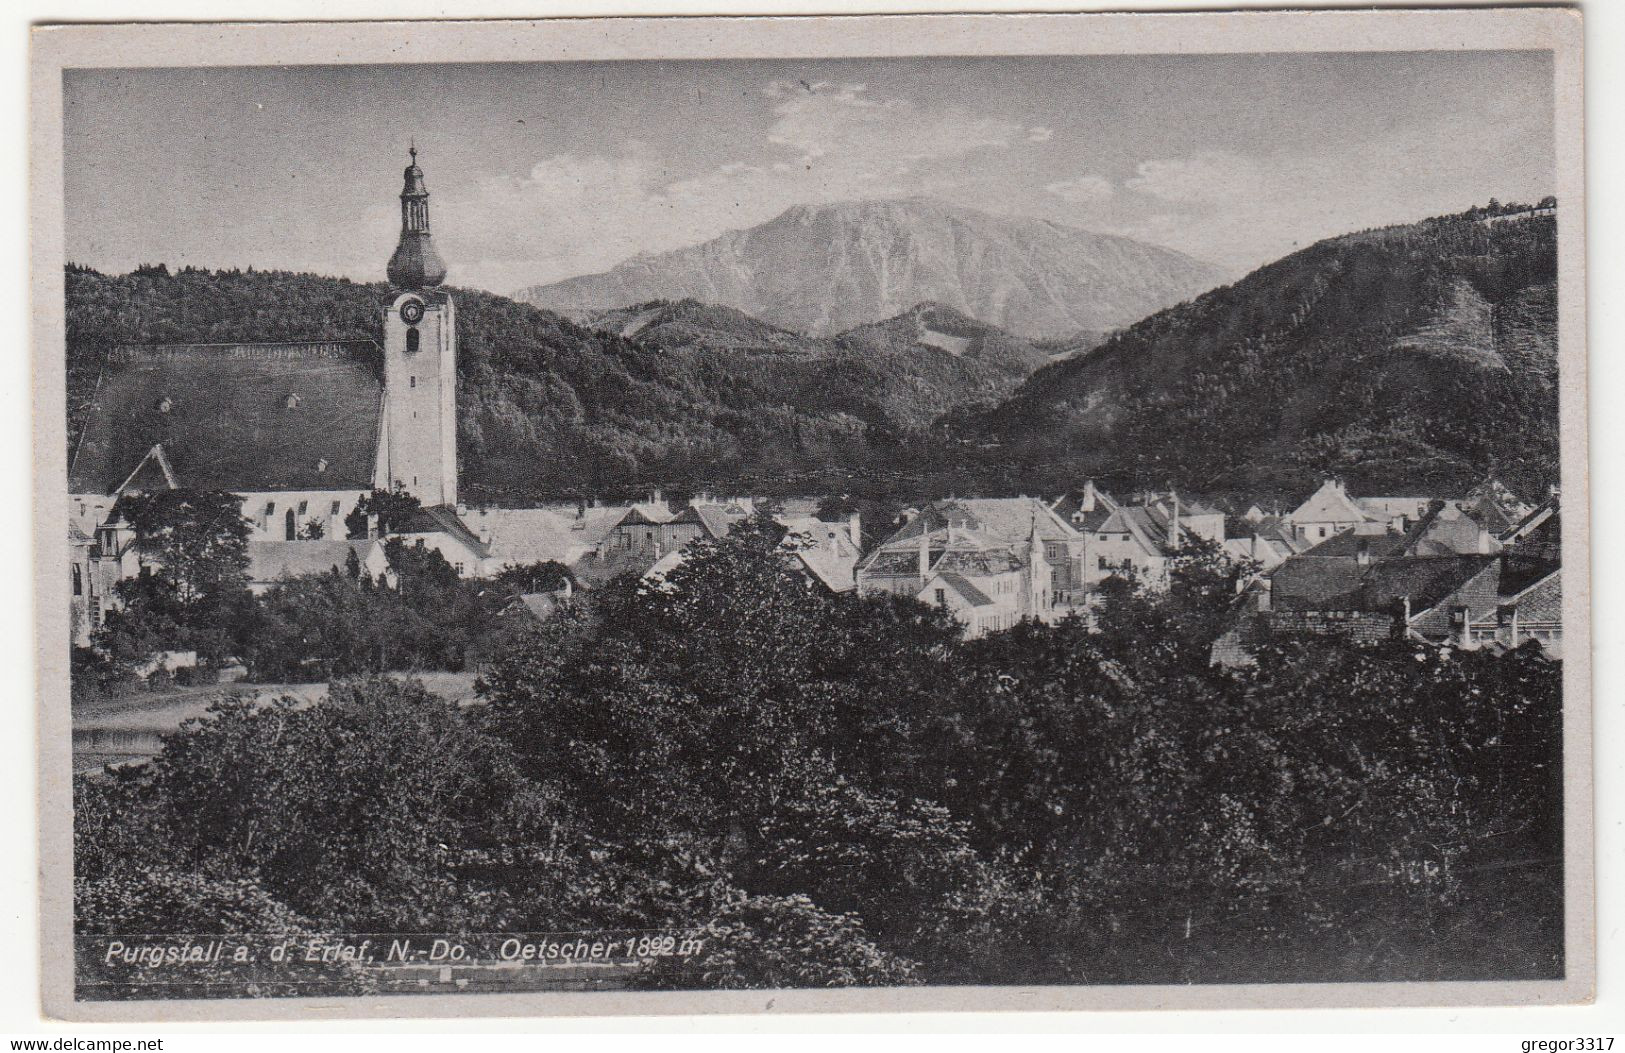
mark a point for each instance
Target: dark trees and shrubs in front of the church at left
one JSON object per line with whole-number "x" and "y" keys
{"x": 193, "y": 596}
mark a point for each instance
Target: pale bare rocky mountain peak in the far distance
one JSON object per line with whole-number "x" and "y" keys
{"x": 828, "y": 267}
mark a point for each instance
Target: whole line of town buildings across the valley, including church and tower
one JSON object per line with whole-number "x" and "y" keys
{"x": 305, "y": 431}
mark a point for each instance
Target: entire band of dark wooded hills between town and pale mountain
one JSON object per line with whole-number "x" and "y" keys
{"x": 1419, "y": 355}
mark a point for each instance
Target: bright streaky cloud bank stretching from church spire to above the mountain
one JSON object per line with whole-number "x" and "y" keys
{"x": 576, "y": 214}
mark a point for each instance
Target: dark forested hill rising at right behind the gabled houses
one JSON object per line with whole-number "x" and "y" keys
{"x": 1416, "y": 357}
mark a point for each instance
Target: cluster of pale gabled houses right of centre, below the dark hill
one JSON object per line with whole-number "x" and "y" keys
{"x": 1476, "y": 571}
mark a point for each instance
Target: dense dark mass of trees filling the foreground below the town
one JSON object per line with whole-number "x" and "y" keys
{"x": 839, "y": 791}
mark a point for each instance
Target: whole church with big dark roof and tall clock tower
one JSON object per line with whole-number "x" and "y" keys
{"x": 300, "y": 430}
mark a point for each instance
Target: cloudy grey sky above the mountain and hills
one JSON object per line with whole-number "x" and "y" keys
{"x": 545, "y": 171}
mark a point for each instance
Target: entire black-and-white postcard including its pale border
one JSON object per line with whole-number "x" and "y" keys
{"x": 797, "y": 521}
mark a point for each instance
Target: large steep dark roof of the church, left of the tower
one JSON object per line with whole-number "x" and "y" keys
{"x": 288, "y": 417}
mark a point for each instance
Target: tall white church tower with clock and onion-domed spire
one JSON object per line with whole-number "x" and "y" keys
{"x": 420, "y": 362}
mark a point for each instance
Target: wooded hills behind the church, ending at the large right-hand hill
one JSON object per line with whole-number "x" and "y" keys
{"x": 698, "y": 397}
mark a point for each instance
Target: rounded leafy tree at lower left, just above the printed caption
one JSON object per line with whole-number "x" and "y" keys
{"x": 362, "y": 812}
